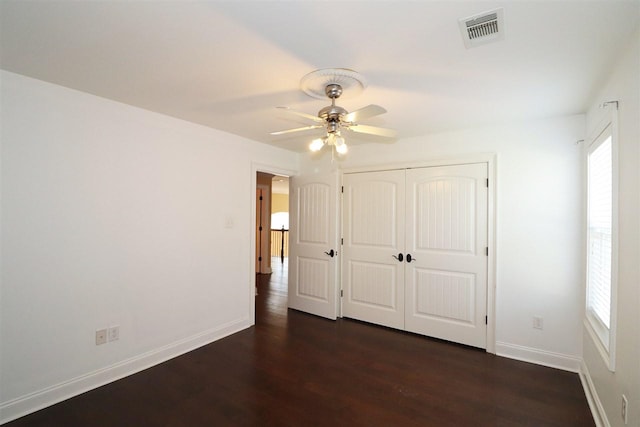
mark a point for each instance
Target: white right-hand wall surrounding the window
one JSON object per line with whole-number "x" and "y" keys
{"x": 623, "y": 85}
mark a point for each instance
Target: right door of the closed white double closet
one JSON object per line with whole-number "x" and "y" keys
{"x": 446, "y": 238}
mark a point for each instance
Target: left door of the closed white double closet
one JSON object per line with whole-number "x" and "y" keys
{"x": 373, "y": 232}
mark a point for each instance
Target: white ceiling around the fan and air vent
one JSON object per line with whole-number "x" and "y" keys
{"x": 227, "y": 64}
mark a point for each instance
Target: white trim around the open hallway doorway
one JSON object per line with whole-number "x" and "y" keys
{"x": 255, "y": 168}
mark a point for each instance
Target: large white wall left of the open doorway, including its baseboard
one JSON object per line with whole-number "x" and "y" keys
{"x": 111, "y": 216}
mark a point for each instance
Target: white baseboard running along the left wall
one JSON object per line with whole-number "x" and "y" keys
{"x": 40, "y": 399}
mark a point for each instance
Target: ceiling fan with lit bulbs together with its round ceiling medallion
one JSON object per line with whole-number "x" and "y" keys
{"x": 332, "y": 83}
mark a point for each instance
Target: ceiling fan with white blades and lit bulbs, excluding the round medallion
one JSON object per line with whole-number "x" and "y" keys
{"x": 336, "y": 119}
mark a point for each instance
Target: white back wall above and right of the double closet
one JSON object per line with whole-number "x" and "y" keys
{"x": 539, "y": 213}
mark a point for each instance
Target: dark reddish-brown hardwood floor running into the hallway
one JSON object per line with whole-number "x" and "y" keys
{"x": 294, "y": 369}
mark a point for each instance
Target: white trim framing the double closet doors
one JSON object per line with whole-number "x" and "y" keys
{"x": 491, "y": 159}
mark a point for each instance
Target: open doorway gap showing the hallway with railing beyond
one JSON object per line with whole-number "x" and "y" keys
{"x": 272, "y": 244}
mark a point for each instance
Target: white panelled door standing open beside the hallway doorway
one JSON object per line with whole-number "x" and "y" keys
{"x": 313, "y": 245}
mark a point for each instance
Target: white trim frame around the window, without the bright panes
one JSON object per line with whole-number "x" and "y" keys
{"x": 605, "y": 339}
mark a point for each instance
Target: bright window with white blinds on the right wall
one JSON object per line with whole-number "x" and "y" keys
{"x": 601, "y": 243}
